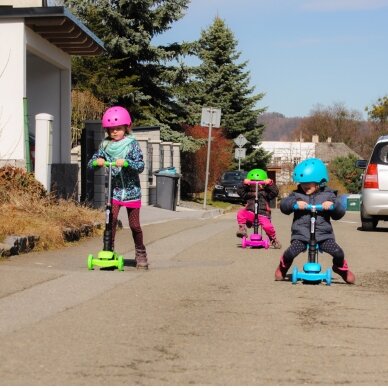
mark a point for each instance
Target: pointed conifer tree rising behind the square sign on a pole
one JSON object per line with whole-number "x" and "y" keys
{"x": 221, "y": 82}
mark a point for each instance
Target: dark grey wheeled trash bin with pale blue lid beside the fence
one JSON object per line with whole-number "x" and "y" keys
{"x": 167, "y": 188}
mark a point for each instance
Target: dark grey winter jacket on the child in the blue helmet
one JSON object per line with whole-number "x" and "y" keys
{"x": 300, "y": 228}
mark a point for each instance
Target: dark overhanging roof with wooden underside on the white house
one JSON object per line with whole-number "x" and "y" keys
{"x": 59, "y": 26}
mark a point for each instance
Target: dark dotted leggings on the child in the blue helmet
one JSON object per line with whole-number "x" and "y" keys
{"x": 329, "y": 246}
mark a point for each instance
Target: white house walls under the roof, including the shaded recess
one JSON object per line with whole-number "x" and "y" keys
{"x": 44, "y": 77}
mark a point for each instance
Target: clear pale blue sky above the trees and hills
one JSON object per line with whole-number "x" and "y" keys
{"x": 302, "y": 53}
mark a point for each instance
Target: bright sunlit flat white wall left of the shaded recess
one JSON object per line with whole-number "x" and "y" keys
{"x": 12, "y": 90}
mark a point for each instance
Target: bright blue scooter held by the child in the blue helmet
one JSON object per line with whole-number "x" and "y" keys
{"x": 312, "y": 269}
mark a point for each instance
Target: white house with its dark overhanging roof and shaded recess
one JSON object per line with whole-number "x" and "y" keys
{"x": 36, "y": 45}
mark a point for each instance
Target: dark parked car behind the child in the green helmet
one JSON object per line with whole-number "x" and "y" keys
{"x": 226, "y": 187}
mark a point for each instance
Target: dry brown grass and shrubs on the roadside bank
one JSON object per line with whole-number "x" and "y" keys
{"x": 26, "y": 209}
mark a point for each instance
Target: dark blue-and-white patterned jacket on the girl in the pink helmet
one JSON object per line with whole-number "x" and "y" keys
{"x": 125, "y": 180}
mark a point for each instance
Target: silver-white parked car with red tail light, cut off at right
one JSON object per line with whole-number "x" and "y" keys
{"x": 374, "y": 190}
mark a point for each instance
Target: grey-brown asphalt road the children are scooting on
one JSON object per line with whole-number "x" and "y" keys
{"x": 206, "y": 313}
